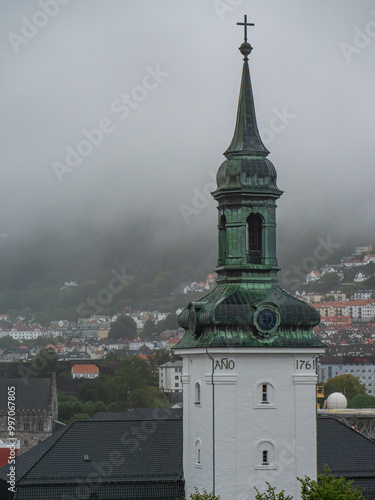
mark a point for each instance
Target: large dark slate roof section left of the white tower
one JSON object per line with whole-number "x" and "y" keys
{"x": 125, "y": 459}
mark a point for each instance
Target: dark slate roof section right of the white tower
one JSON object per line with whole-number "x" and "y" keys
{"x": 347, "y": 453}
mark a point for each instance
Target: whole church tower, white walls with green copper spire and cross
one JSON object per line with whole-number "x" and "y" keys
{"x": 249, "y": 352}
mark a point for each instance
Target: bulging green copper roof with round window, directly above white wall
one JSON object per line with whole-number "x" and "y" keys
{"x": 225, "y": 317}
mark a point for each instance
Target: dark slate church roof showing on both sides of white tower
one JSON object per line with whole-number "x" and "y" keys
{"x": 143, "y": 459}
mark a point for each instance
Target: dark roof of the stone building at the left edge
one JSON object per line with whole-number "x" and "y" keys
{"x": 31, "y": 393}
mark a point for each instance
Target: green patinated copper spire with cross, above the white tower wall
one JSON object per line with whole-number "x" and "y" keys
{"x": 247, "y": 308}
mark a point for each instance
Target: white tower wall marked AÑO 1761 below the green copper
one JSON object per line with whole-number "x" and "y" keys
{"x": 233, "y": 426}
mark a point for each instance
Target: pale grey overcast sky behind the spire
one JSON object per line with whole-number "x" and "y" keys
{"x": 161, "y": 79}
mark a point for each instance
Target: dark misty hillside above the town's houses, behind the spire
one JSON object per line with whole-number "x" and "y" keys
{"x": 141, "y": 263}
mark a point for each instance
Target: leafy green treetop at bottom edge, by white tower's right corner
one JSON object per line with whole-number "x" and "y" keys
{"x": 329, "y": 487}
